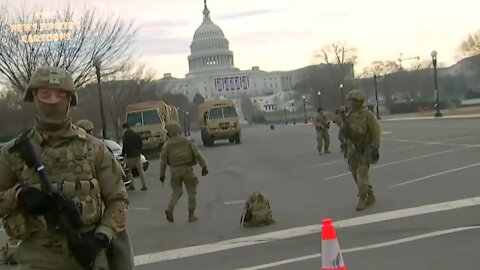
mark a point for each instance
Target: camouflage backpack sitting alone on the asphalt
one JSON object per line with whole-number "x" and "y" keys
{"x": 257, "y": 211}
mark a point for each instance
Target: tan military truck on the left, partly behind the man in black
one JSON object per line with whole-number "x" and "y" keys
{"x": 148, "y": 119}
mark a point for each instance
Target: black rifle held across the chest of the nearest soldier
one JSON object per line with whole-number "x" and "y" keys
{"x": 63, "y": 214}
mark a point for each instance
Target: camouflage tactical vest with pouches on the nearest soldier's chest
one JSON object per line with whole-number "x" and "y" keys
{"x": 71, "y": 169}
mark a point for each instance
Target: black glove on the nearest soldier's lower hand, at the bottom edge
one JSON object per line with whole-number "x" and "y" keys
{"x": 87, "y": 249}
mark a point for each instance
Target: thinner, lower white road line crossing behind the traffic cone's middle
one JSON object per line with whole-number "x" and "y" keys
{"x": 363, "y": 248}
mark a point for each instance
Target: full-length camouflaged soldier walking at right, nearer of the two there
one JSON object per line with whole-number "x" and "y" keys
{"x": 361, "y": 134}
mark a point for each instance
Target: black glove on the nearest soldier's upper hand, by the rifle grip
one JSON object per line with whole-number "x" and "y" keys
{"x": 33, "y": 200}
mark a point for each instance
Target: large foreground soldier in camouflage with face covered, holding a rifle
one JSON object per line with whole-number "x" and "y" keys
{"x": 78, "y": 165}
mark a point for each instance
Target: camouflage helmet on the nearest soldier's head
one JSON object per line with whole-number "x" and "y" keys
{"x": 51, "y": 78}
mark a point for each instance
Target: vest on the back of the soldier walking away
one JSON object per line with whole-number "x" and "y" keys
{"x": 180, "y": 152}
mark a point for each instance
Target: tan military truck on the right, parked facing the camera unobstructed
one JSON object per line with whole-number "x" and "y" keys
{"x": 218, "y": 121}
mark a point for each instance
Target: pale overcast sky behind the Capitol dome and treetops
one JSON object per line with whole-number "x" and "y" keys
{"x": 283, "y": 34}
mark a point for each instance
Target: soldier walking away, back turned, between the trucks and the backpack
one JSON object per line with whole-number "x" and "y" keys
{"x": 181, "y": 154}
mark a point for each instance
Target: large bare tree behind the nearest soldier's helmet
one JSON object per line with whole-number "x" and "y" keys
{"x": 70, "y": 39}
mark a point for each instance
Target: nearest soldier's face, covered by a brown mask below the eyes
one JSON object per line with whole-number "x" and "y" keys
{"x": 53, "y": 104}
